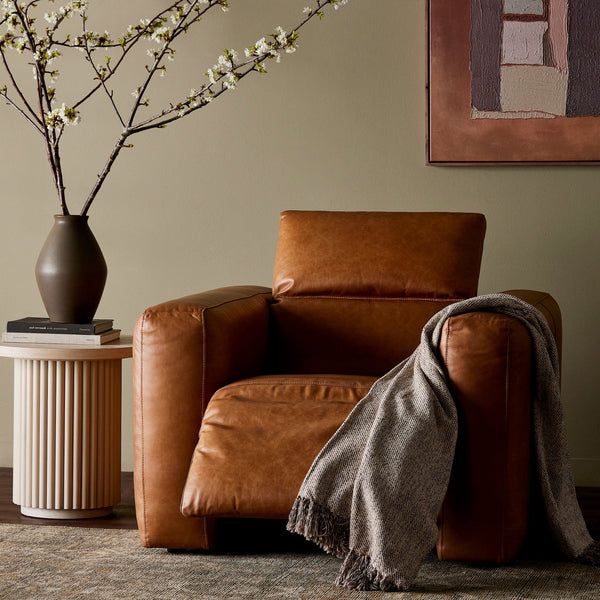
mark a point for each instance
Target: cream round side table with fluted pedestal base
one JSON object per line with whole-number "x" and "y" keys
{"x": 67, "y": 428}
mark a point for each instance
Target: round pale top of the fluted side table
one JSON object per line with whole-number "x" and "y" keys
{"x": 121, "y": 348}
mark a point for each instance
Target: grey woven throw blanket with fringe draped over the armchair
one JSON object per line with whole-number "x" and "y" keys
{"x": 373, "y": 494}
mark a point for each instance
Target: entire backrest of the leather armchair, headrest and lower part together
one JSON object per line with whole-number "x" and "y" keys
{"x": 354, "y": 289}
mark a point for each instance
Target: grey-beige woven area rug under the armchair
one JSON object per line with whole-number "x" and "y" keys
{"x": 56, "y": 562}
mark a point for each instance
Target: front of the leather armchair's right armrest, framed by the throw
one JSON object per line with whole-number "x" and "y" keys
{"x": 485, "y": 512}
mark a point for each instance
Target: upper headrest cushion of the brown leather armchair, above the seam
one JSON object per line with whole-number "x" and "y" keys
{"x": 378, "y": 254}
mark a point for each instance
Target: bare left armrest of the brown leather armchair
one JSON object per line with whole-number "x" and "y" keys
{"x": 183, "y": 351}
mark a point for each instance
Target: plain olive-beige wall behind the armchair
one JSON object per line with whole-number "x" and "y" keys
{"x": 339, "y": 125}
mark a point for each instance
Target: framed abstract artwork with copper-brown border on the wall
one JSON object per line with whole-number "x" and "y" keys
{"x": 514, "y": 81}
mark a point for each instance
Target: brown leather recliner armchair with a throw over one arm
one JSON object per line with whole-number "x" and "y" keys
{"x": 264, "y": 377}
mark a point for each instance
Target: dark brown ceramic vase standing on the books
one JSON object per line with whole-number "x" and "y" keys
{"x": 71, "y": 271}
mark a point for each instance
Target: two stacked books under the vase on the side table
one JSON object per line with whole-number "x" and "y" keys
{"x": 40, "y": 330}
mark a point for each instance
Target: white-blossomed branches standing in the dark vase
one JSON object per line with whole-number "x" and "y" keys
{"x": 50, "y": 119}
